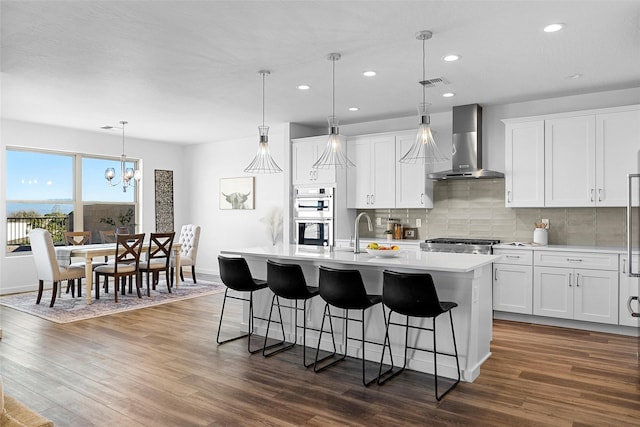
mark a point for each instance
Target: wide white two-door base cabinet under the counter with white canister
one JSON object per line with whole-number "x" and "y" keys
{"x": 577, "y": 286}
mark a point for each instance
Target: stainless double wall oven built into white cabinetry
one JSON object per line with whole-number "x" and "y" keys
{"x": 314, "y": 216}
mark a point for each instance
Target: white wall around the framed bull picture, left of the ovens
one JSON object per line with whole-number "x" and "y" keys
{"x": 229, "y": 229}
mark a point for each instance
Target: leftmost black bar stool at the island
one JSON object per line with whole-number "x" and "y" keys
{"x": 235, "y": 274}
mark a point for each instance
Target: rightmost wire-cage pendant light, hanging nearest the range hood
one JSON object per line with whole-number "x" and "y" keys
{"x": 424, "y": 150}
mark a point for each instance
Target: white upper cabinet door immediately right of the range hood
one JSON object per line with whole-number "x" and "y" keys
{"x": 524, "y": 164}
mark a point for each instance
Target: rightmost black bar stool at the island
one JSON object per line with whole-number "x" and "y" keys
{"x": 414, "y": 295}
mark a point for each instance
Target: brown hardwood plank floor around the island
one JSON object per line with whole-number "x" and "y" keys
{"x": 161, "y": 366}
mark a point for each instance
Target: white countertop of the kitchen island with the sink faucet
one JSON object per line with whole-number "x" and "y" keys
{"x": 432, "y": 261}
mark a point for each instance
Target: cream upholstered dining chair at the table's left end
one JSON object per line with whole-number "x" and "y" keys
{"x": 47, "y": 266}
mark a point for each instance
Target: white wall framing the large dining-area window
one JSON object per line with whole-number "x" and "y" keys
{"x": 17, "y": 273}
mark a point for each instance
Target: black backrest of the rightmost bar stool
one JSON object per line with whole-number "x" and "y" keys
{"x": 411, "y": 294}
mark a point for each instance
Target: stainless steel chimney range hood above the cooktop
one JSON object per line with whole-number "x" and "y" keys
{"x": 466, "y": 158}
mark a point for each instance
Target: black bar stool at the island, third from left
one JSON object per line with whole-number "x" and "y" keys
{"x": 344, "y": 289}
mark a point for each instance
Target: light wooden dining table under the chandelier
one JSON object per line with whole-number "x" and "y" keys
{"x": 89, "y": 252}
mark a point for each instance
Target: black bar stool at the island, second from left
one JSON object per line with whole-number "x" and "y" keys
{"x": 287, "y": 281}
